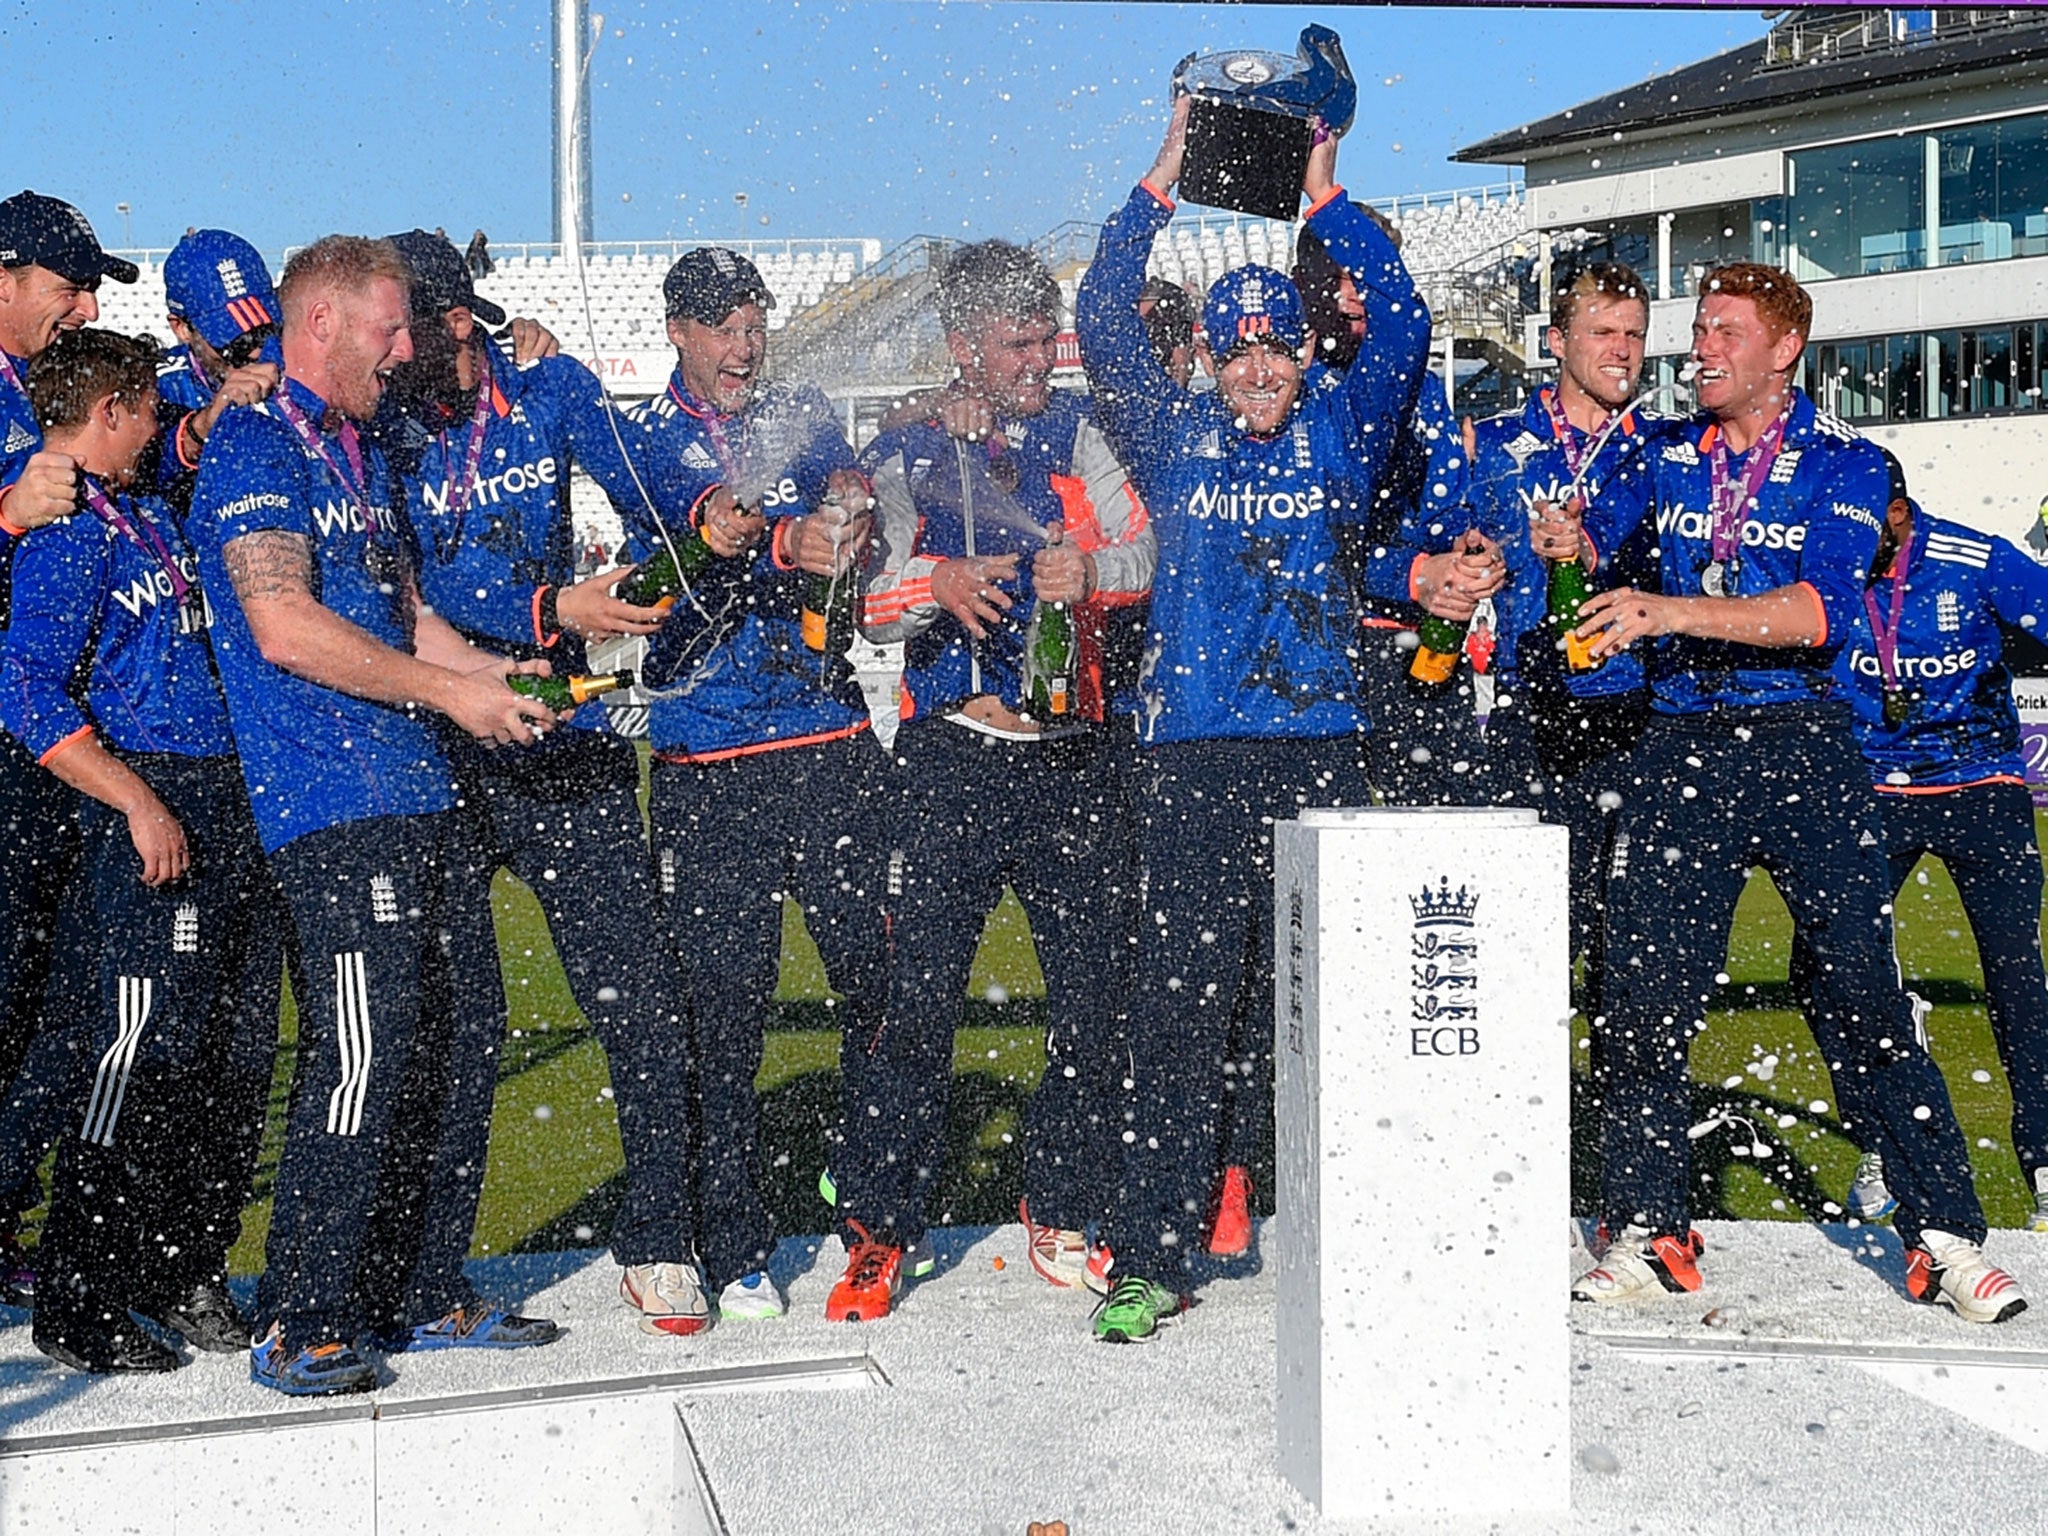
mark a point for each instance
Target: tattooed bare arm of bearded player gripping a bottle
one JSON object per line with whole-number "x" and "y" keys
{"x": 273, "y": 579}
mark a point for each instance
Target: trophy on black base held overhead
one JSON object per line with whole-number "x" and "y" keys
{"x": 1248, "y": 130}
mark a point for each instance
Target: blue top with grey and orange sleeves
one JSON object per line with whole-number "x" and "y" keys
{"x": 941, "y": 499}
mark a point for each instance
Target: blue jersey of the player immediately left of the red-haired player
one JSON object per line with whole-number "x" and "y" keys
{"x": 1519, "y": 460}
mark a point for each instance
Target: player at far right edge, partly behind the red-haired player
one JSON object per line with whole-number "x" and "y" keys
{"x": 1934, "y": 714}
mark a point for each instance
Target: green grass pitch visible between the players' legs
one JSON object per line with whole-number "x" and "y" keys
{"x": 556, "y": 1164}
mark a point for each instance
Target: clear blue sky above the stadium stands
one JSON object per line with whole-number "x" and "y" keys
{"x": 837, "y": 118}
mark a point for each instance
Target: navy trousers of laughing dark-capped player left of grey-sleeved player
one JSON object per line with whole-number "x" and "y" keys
{"x": 732, "y": 841}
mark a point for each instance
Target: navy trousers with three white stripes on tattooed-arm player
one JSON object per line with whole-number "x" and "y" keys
{"x": 400, "y": 1017}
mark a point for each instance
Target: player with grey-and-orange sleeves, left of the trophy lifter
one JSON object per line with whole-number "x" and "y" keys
{"x": 996, "y": 476}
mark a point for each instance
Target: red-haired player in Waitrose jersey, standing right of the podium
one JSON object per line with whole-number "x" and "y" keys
{"x": 1768, "y": 515}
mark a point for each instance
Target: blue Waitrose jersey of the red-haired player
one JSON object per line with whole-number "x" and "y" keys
{"x": 1814, "y": 523}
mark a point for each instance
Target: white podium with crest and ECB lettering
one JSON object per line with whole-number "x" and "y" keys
{"x": 1424, "y": 1185}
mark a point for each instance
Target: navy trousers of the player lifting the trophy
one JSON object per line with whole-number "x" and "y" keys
{"x": 1201, "y": 1017}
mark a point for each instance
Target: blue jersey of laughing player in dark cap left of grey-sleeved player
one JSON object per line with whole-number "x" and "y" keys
{"x": 759, "y": 685}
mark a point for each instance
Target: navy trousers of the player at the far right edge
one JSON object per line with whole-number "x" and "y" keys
{"x": 1983, "y": 835}
